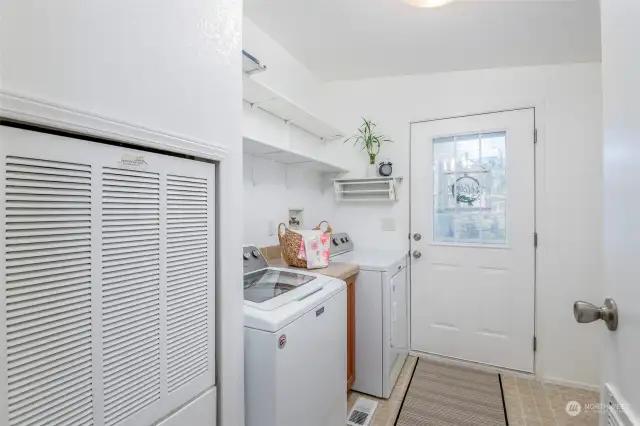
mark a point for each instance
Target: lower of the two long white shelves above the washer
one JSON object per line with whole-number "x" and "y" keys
{"x": 287, "y": 156}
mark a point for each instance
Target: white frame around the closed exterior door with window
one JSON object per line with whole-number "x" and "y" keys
{"x": 538, "y": 140}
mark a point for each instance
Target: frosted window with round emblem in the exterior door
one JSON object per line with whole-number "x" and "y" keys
{"x": 470, "y": 189}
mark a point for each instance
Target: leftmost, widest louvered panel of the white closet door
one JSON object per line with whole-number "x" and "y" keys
{"x": 47, "y": 280}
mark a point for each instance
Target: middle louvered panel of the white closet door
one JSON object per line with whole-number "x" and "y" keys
{"x": 130, "y": 265}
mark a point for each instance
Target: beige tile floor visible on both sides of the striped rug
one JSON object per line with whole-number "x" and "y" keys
{"x": 528, "y": 402}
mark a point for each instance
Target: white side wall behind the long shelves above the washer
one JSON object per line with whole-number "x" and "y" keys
{"x": 271, "y": 188}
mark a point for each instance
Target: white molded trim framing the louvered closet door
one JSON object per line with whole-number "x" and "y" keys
{"x": 229, "y": 392}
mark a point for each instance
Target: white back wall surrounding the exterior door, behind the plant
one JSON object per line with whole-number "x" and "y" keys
{"x": 568, "y": 178}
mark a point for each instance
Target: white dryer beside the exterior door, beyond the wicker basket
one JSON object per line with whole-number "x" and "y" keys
{"x": 382, "y": 317}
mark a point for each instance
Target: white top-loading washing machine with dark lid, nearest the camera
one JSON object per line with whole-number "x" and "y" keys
{"x": 295, "y": 335}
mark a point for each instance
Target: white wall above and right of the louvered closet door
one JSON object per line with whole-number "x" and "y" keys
{"x": 167, "y": 70}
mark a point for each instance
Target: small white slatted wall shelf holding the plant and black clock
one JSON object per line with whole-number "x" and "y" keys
{"x": 366, "y": 189}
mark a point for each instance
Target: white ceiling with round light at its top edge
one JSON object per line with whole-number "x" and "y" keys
{"x": 349, "y": 39}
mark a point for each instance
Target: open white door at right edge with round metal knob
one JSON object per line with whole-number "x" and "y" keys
{"x": 621, "y": 91}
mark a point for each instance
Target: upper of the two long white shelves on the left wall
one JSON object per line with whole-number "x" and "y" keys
{"x": 263, "y": 97}
